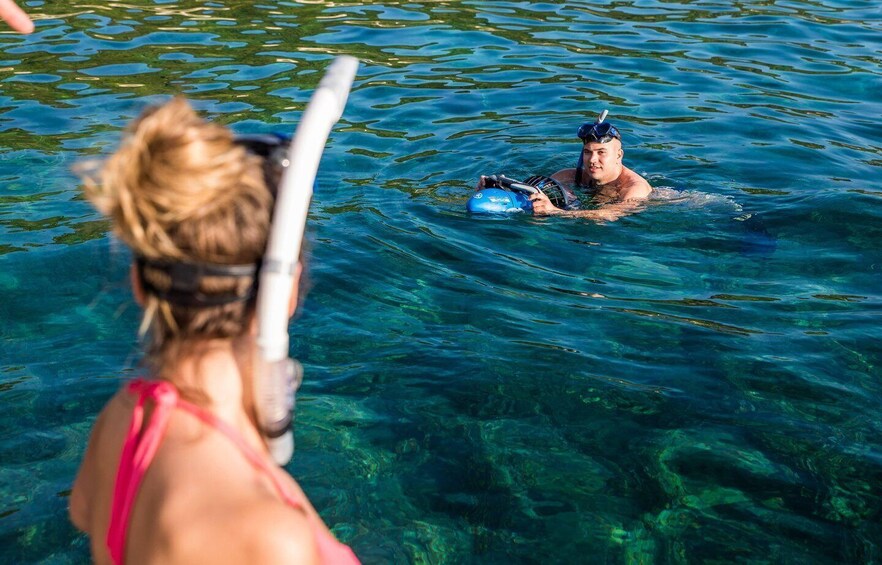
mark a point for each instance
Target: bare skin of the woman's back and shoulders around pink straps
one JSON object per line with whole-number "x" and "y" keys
{"x": 198, "y": 482}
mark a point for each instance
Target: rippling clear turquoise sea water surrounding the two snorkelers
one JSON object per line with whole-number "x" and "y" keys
{"x": 699, "y": 382}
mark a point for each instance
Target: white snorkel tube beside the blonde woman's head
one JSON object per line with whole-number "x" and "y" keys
{"x": 276, "y": 376}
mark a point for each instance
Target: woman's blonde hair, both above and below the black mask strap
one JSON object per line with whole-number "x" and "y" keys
{"x": 180, "y": 189}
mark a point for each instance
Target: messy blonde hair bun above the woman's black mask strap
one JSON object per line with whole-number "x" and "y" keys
{"x": 175, "y": 175}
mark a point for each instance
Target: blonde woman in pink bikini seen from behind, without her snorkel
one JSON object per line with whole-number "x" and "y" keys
{"x": 176, "y": 470}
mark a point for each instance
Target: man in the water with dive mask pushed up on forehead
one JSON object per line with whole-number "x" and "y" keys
{"x": 617, "y": 189}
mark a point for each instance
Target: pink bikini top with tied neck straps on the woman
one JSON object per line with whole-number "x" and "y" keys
{"x": 140, "y": 447}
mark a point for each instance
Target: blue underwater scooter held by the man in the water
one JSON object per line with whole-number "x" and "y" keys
{"x": 503, "y": 195}
